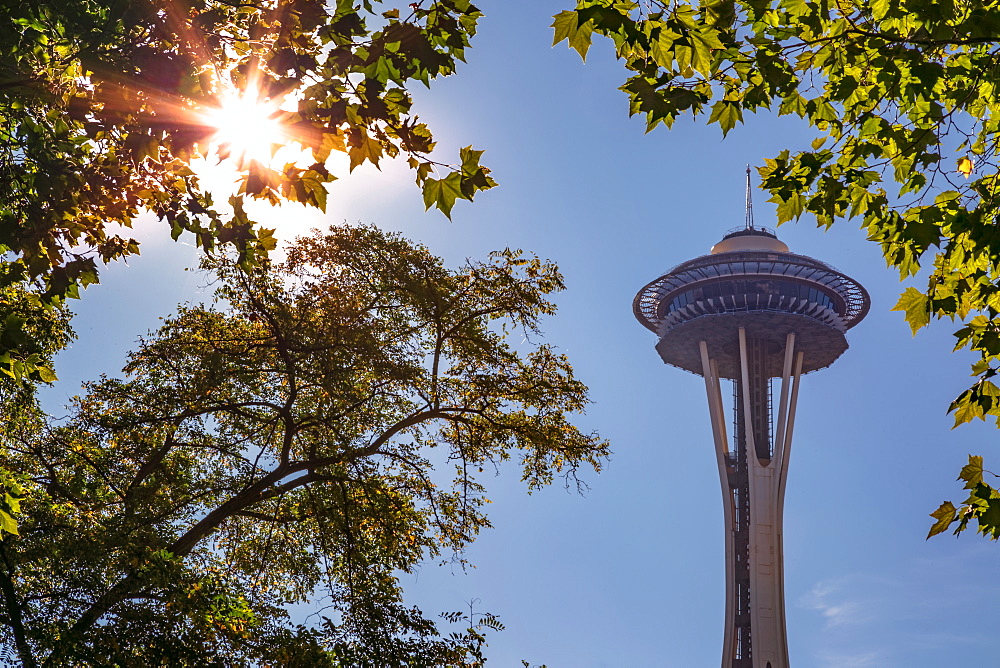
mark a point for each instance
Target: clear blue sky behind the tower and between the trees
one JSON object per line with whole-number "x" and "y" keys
{"x": 631, "y": 574}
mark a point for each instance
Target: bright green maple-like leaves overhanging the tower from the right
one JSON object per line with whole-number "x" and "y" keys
{"x": 903, "y": 98}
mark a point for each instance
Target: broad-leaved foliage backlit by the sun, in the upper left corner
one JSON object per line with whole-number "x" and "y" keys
{"x": 103, "y": 106}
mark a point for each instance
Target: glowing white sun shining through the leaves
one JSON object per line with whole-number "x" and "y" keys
{"x": 246, "y": 127}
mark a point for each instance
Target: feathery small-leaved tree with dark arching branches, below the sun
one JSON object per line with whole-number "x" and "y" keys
{"x": 276, "y": 447}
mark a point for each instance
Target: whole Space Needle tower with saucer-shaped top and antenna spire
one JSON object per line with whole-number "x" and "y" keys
{"x": 751, "y": 311}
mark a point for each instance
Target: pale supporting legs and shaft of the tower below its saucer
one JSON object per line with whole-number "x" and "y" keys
{"x": 753, "y": 477}
